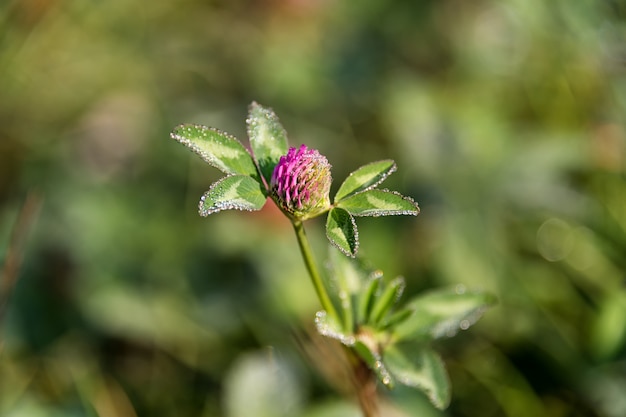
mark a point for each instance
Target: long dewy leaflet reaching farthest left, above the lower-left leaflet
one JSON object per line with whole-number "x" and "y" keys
{"x": 219, "y": 149}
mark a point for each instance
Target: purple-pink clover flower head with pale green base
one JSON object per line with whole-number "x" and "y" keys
{"x": 301, "y": 182}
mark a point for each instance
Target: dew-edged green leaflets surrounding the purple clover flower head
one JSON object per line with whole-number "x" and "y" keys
{"x": 249, "y": 178}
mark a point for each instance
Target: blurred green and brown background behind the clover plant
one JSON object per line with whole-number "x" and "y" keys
{"x": 506, "y": 119}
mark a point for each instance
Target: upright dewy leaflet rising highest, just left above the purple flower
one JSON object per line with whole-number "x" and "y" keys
{"x": 268, "y": 139}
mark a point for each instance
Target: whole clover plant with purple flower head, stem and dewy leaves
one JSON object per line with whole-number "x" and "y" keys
{"x": 360, "y": 309}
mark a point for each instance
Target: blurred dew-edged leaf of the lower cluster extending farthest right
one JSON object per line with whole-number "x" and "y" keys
{"x": 442, "y": 313}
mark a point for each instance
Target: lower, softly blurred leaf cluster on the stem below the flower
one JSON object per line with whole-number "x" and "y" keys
{"x": 392, "y": 338}
